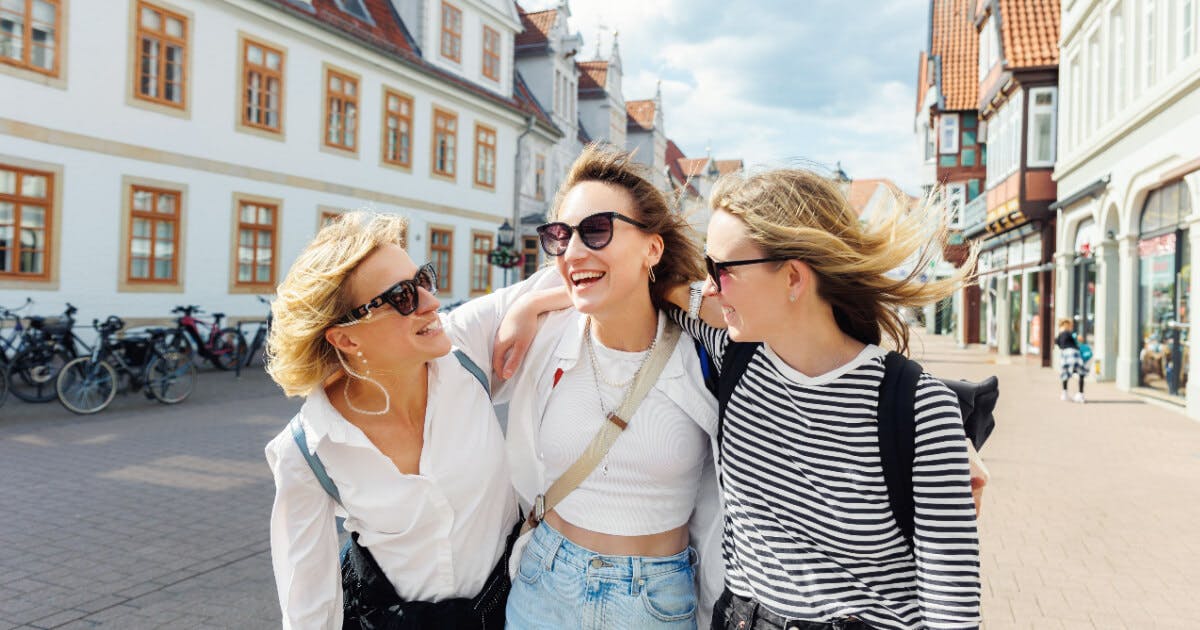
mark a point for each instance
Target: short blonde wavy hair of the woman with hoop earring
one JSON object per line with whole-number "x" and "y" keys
{"x": 315, "y": 296}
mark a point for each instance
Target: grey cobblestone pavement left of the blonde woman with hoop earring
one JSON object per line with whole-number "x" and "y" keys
{"x": 143, "y": 515}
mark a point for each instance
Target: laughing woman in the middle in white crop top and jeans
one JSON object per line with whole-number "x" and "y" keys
{"x": 620, "y": 551}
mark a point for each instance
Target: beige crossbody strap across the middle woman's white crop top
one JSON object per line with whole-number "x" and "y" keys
{"x": 608, "y": 435}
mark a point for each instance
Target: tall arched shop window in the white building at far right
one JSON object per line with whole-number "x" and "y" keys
{"x": 1165, "y": 289}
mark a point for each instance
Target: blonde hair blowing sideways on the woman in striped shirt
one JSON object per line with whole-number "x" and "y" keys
{"x": 800, "y": 214}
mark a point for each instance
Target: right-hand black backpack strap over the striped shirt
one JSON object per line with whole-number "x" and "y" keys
{"x": 898, "y": 436}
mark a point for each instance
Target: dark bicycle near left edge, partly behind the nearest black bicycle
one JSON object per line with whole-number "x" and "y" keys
{"x": 46, "y": 345}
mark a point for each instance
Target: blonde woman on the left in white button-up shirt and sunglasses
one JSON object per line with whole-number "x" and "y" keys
{"x": 398, "y": 435}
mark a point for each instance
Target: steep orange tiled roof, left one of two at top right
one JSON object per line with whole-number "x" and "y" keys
{"x": 956, "y": 41}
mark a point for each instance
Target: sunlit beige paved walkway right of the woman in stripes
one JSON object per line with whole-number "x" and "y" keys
{"x": 1091, "y": 517}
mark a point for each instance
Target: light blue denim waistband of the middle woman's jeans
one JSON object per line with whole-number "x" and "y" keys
{"x": 555, "y": 548}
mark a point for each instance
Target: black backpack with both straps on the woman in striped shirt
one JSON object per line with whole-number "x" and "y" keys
{"x": 897, "y": 421}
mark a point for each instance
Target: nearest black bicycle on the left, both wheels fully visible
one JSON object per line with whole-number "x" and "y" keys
{"x": 88, "y": 385}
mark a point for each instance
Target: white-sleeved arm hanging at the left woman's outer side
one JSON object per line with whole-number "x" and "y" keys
{"x": 304, "y": 542}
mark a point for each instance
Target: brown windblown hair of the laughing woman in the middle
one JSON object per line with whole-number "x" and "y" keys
{"x": 681, "y": 254}
